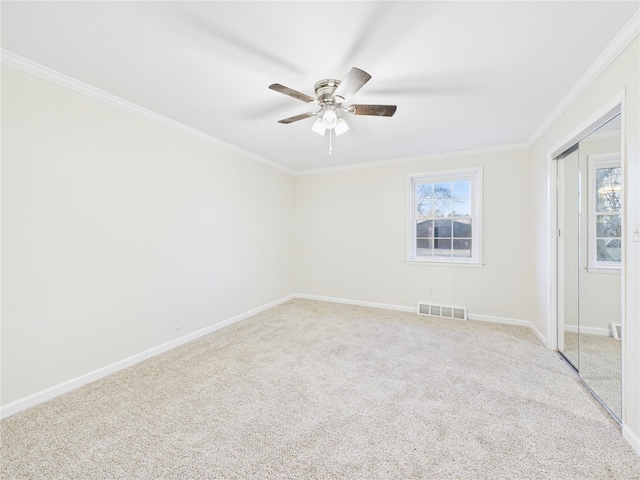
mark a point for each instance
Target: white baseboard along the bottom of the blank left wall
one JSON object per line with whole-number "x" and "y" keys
{"x": 57, "y": 390}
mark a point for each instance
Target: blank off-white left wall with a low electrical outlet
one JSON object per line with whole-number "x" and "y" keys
{"x": 113, "y": 226}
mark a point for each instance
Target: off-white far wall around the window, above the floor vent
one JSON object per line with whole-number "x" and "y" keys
{"x": 351, "y": 238}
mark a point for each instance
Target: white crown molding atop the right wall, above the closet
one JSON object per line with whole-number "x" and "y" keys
{"x": 621, "y": 41}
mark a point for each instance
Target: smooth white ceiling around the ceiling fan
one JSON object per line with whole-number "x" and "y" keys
{"x": 463, "y": 74}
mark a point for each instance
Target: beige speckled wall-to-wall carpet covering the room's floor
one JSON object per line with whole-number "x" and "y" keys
{"x": 312, "y": 390}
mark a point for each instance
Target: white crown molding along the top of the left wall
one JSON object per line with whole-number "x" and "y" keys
{"x": 20, "y": 63}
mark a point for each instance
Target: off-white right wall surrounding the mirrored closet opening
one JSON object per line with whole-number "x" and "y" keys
{"x": 621, "y": 76}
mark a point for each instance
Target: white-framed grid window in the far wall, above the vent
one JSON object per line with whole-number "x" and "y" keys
{"x": 444, "y": 223}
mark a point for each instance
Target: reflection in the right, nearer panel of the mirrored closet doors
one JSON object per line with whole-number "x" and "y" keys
{"x": 600, "y": 273}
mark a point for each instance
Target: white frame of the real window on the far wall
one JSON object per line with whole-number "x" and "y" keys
{"x": 475, "y": 176}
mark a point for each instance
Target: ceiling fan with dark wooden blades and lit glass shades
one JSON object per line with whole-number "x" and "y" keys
{"x": 330, "y": 96}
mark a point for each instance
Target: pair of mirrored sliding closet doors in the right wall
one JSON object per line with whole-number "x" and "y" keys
{"x": 590, "y": 224}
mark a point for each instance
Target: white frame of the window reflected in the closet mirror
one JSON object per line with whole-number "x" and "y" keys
{"x": 594, "y": 162}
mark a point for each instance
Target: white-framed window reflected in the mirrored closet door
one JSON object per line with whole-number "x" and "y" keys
{"x": 605, "y": 212}
